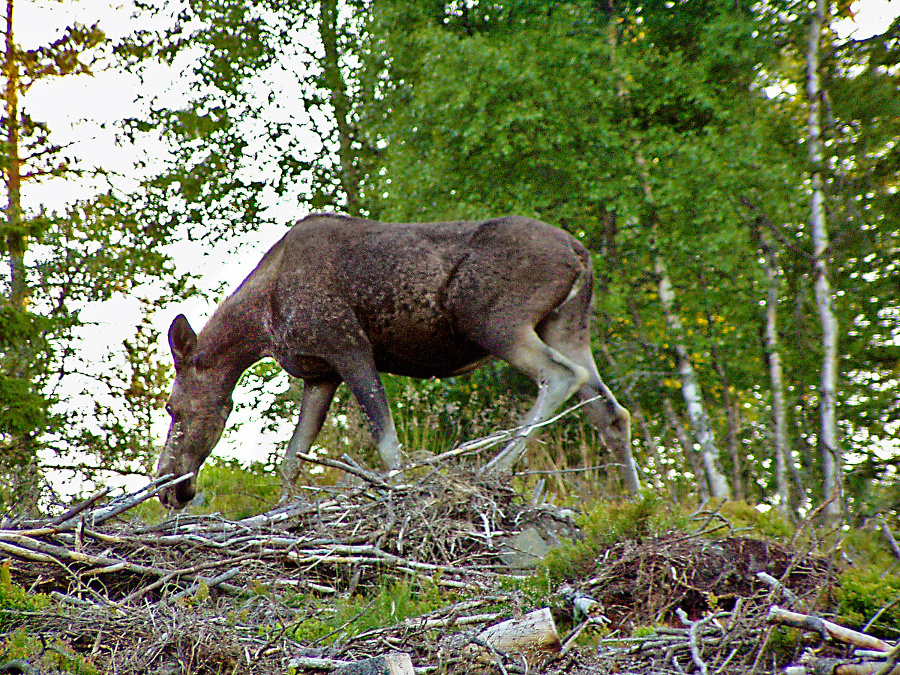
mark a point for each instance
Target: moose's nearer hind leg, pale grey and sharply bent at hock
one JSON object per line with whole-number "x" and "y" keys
{"x": 558, "y": 377}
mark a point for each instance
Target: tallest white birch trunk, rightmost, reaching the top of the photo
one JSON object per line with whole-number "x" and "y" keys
{"x": 828, "y": 437}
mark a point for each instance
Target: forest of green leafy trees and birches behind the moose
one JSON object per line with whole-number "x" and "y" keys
{"x": 733, "y": 167}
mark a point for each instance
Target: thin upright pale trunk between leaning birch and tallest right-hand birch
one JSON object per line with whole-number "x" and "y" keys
{"x": 776, "y": 377}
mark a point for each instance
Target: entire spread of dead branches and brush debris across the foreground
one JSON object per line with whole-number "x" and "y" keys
{"x": 203, "y": 594}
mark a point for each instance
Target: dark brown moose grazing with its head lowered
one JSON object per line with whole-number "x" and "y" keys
{"x": 342, "y": 299}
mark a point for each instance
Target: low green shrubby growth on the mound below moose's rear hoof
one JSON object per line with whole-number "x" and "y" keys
{"x": 606, "y": 523}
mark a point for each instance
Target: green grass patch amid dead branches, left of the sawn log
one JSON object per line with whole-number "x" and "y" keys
{"x": 385, "y": 605}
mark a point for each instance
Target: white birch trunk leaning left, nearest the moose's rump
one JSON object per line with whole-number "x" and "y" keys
{"x": 718, "y": 483}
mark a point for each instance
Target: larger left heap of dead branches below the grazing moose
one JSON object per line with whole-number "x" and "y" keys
{"x": 196, "y": 593}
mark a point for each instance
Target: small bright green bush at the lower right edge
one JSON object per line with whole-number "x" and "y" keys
{"x": 868, "y": 596}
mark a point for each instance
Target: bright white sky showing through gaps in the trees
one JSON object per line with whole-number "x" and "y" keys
{"x": 83, "y": 111}
